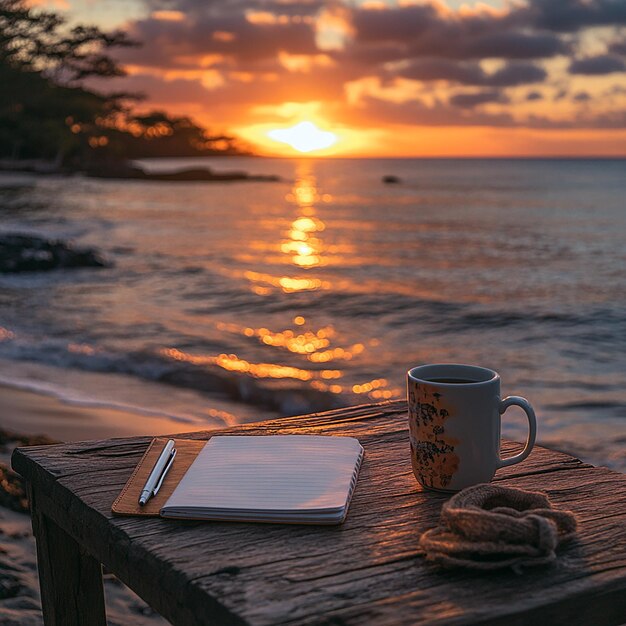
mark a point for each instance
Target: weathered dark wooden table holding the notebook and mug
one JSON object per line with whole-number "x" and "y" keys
{"x": 367, "y": 571}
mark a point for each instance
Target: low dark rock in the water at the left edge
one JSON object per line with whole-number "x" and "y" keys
{"x": 27, "y": 253}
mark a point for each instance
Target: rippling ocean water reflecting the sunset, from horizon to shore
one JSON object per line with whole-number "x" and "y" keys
{"x": 230, "y": 302}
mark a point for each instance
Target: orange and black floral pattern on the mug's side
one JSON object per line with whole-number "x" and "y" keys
{"x": 432, "y": 451}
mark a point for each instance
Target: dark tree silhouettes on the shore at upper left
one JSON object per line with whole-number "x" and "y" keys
{"x": 48, "y": 112}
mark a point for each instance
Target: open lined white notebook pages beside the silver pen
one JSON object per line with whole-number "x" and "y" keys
{"x": 306, "y": 479}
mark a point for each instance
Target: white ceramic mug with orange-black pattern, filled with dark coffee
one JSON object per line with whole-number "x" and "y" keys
{"x": 454, "y": 425}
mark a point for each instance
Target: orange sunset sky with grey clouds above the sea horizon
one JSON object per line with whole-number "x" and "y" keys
{"x": 388, "y": 78}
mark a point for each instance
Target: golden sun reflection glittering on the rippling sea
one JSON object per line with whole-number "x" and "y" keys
{"x": 302, "y": 248}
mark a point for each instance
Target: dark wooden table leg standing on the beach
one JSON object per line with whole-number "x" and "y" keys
{"x": 70, "y": 579}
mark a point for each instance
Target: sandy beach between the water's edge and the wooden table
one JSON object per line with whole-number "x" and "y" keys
{"x": 33, "y": 416}
